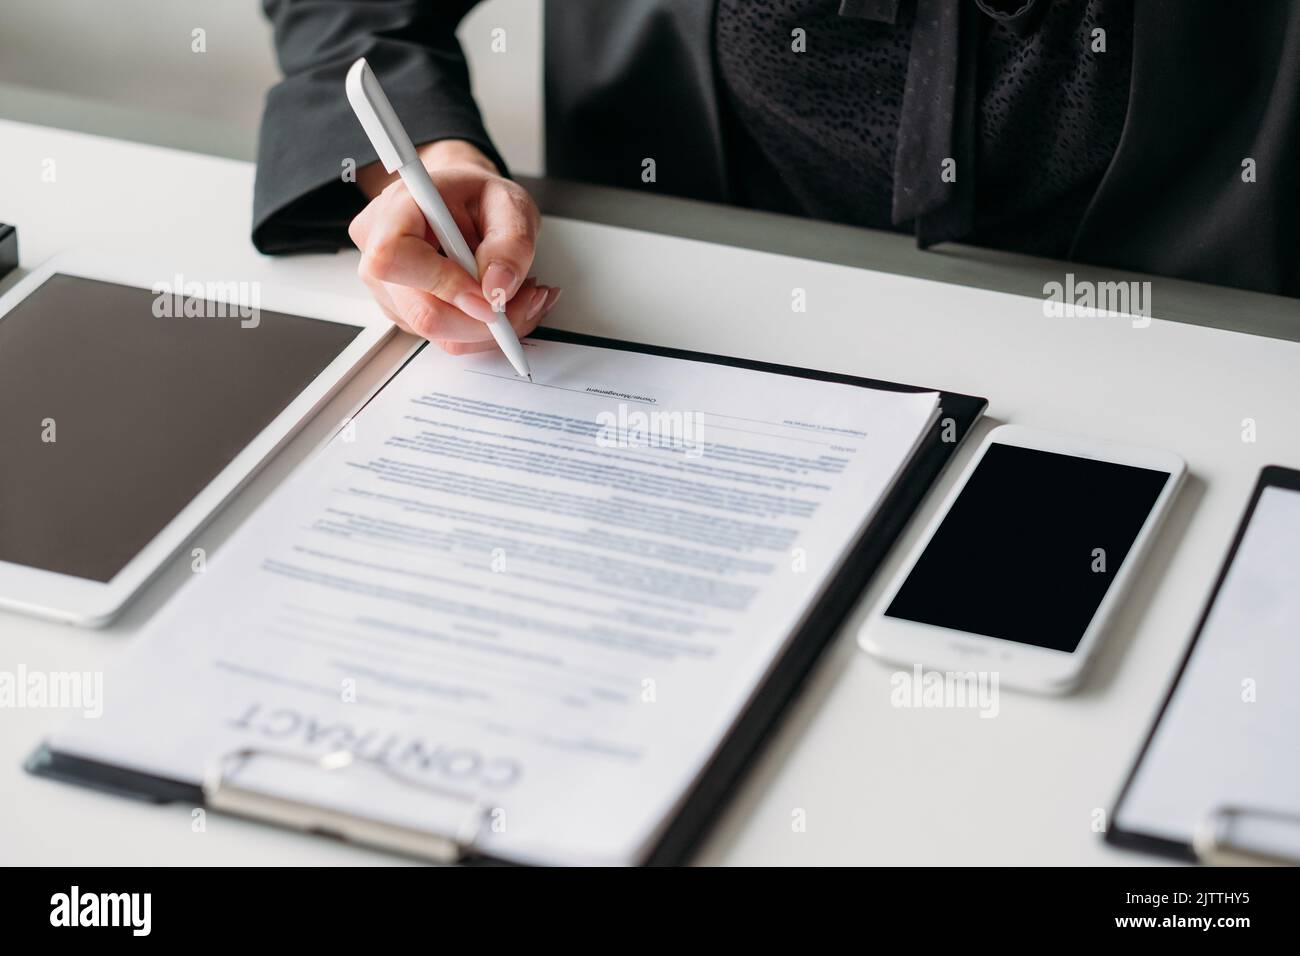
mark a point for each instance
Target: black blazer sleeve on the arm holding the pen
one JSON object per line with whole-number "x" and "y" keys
{"x": 302, "y": 202}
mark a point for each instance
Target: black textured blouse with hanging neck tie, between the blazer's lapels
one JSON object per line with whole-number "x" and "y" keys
{"x": 1021, "y": 105}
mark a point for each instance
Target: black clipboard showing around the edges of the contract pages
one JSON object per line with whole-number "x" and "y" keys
{"x": 744, "y": 741}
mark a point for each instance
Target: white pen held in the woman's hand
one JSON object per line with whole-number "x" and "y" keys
{"x": 397, "y": 154}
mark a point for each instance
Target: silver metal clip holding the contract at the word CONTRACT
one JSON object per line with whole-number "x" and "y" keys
{"x": 223, "y": 791}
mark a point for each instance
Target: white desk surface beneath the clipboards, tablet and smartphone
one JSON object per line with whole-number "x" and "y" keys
{"x": 878, "y": 785}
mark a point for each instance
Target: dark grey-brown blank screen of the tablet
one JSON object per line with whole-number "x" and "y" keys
{"x": 119, "y": 406}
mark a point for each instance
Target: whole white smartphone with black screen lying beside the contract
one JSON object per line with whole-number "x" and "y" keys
{"x": 1024, "y": 566}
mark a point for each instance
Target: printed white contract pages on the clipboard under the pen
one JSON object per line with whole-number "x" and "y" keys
{"x": 552, "y": 599}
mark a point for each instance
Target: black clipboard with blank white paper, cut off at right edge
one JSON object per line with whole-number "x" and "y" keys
{"x": 1229, "y": 733}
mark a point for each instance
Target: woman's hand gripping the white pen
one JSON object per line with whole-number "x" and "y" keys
{"x": 428, "y": 295}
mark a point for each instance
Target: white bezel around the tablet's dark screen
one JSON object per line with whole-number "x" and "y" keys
{"x": 93, "y": 604}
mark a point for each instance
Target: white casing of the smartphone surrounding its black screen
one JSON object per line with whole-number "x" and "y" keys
{"x": 1043, "y": 671}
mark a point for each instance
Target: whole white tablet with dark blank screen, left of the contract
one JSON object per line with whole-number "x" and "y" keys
{"x": 135, "y": 401}
